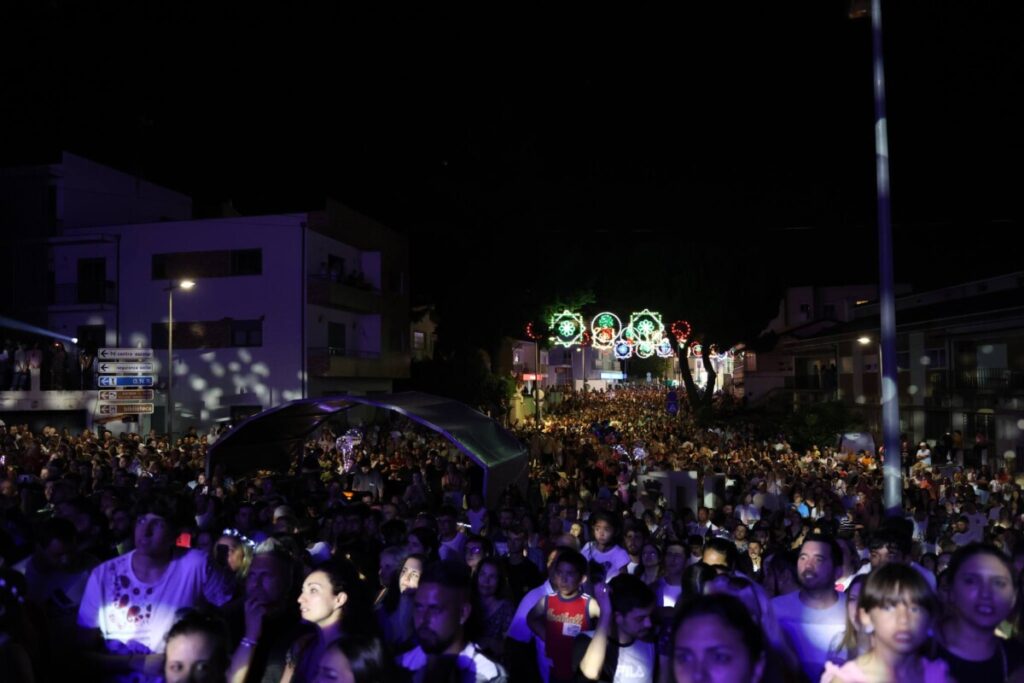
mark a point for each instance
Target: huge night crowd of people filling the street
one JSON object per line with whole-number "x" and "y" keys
{"x": 381, "y": 559}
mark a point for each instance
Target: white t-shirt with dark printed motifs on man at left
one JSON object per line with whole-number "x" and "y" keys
{"x": 135, "y": 617}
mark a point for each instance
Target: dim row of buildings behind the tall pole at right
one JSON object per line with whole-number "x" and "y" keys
{"x": 960, "y": 359}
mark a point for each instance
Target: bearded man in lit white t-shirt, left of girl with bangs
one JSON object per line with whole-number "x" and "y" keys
{"x": 816, "y": 615}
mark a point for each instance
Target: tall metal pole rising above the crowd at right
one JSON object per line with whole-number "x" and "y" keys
{"x": 893, "y": 488}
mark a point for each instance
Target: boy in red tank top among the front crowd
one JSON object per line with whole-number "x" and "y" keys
{"x": 559, "y": 619}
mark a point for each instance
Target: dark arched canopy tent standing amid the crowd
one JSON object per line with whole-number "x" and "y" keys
{"x": 274, "y": 440}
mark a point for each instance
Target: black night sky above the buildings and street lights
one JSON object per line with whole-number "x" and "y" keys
{"x": 689, "y": 161}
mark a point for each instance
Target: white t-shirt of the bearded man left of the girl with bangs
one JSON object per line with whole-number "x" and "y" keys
{"x": 810, "y": 631}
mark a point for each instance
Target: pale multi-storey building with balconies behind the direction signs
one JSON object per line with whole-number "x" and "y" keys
{"x": 285, "y": 307}
